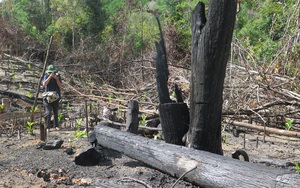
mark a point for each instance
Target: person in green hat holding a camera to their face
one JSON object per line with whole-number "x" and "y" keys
{"x": 52, "y": 83}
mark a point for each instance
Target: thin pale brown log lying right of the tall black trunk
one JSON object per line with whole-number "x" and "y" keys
{"x": 267, "y": 129}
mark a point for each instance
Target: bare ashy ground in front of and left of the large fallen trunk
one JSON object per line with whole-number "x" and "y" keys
{"x": 21, "y": 162}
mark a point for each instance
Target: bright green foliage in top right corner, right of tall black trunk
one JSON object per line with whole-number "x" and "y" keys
{"x": 263, "y": 26}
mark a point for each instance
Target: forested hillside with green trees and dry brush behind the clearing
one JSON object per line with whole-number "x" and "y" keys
{"x": 112, "y": 42}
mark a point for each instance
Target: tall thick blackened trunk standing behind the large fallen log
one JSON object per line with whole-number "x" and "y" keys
{"x": 211, "y": 42}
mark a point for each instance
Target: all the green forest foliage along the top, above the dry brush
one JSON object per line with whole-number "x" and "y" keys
{"x": 264, "y": 30}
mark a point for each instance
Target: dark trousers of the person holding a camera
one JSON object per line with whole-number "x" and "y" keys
{"x": 49, "y": 108}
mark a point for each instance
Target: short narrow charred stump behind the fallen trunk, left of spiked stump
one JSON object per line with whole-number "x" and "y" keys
{"x": 132, "y": 122}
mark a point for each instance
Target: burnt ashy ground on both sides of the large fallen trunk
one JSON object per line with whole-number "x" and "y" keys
{"x": 22, "y": 162}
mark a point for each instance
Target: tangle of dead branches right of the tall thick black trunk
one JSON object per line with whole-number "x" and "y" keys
{"x": 260, "y": 97}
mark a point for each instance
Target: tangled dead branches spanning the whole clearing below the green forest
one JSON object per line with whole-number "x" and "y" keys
{"x": 251, "y": 94}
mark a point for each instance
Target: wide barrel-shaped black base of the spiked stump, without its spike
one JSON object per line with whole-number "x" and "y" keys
{"x": 175, "y": 122}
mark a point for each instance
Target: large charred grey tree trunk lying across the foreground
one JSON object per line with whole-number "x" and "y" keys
{"x": 206, "y": 169}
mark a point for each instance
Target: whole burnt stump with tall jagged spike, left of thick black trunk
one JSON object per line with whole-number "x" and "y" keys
{"x": 174, "y": 117}
